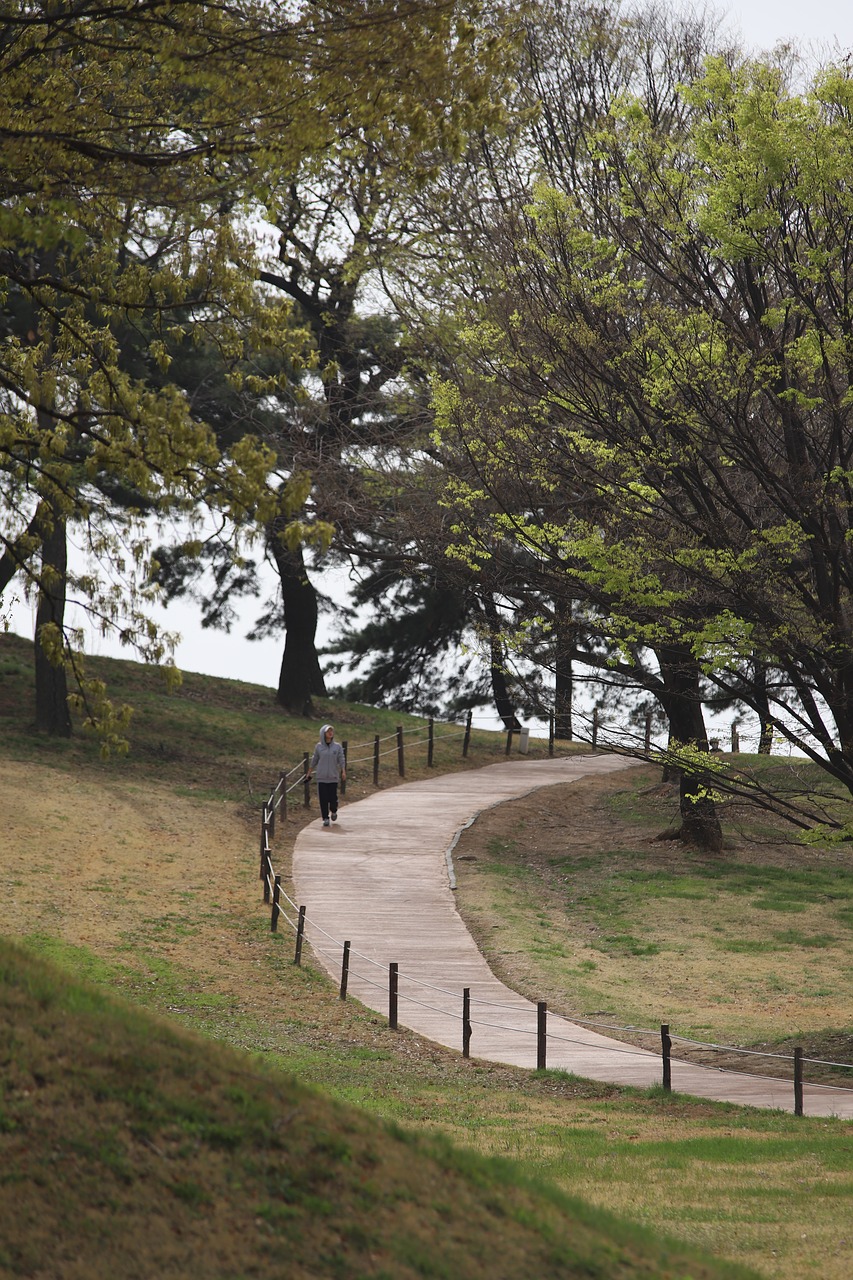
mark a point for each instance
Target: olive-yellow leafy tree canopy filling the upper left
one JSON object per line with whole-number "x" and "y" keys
{"x": 139, "y": 144}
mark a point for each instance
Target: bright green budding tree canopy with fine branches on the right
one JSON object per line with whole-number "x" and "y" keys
{"x": 656, "y": 403}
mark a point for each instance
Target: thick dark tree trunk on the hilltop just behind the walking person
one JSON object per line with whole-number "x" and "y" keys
{"x": 300, "y": 678}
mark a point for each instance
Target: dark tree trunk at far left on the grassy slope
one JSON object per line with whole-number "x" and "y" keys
{"x": 52, "y": 683}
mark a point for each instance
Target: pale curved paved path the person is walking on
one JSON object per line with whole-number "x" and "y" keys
{"x": 382, "y": 879}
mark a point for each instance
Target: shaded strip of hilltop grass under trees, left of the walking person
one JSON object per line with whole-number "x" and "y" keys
{"x": 225, "y": 739}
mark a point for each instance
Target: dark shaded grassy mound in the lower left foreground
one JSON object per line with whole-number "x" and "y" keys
{"x": 131, "y": 1149}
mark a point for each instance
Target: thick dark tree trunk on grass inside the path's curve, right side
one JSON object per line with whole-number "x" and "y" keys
{"x": 683, "y": 706}
